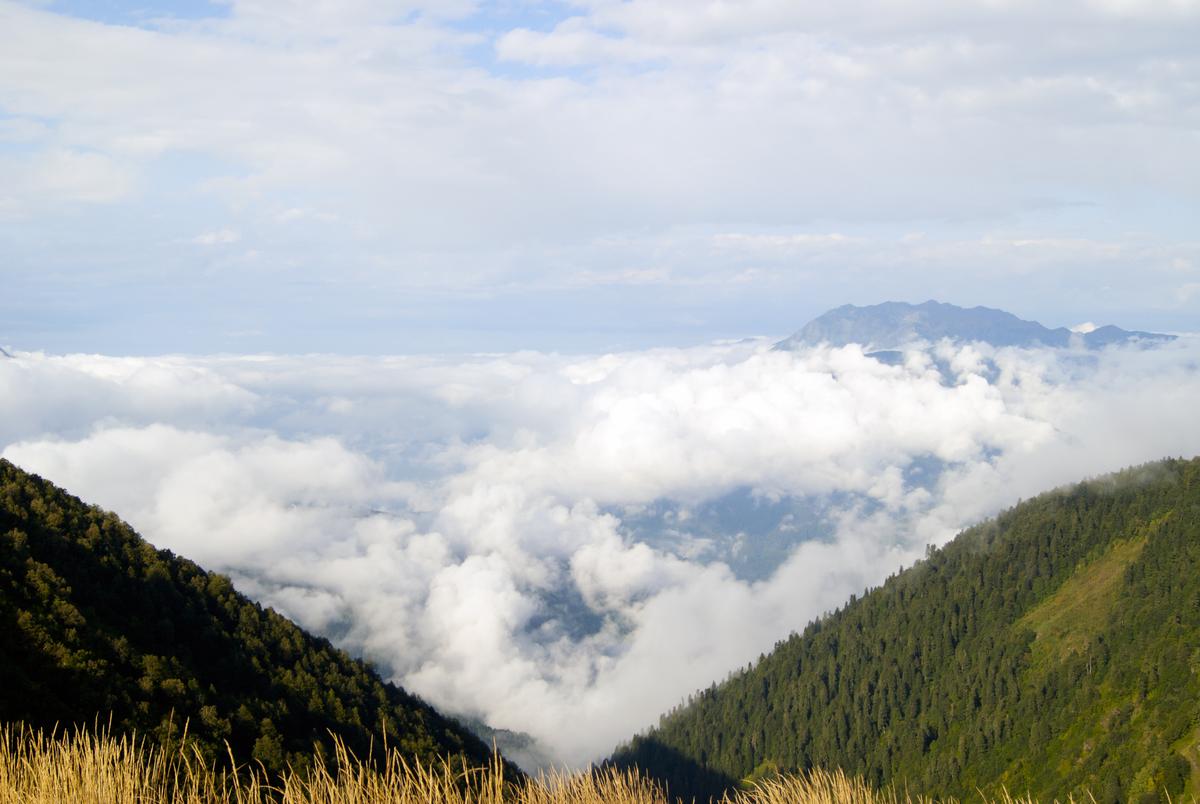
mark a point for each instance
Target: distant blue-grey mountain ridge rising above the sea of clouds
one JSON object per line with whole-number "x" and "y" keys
{"x": 896, "y": 325}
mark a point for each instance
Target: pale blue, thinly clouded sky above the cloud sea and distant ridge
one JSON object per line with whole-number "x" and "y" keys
{"x": 458, "y": 177}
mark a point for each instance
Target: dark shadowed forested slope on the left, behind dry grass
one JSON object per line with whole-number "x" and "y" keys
{"x": 97, "y": 623}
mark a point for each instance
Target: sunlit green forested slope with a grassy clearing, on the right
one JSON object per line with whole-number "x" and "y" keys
{"x": 1052, "y": 650}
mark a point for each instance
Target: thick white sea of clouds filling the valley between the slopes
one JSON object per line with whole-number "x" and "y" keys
{"x": 466, "y": 523}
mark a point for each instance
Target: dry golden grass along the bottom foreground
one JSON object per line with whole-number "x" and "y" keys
{"x": 98, "y": 769}
